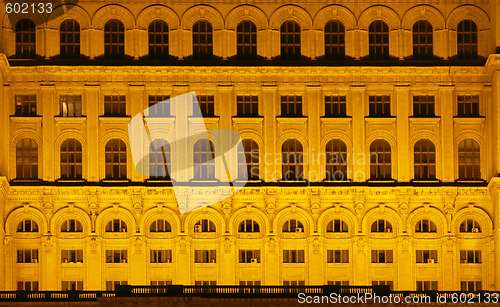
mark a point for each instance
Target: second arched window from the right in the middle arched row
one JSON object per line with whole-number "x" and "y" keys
{"x": 424, "y": 160}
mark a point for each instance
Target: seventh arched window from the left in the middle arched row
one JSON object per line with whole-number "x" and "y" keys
{"x": 292, "y": 160}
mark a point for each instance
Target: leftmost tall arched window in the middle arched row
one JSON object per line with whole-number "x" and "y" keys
{"x": 26, "y": 159}
